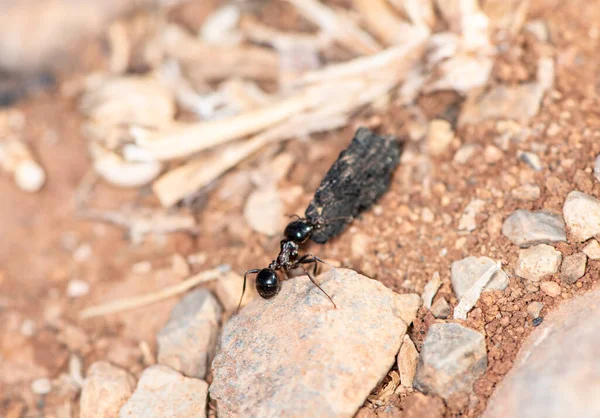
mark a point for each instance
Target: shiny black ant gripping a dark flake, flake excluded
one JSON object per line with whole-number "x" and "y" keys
{"x": 268, "y": 283}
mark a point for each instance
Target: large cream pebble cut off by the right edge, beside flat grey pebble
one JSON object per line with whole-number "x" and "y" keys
{"x": 582, "y": 215}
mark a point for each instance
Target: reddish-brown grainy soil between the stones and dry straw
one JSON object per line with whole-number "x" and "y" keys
{"x": 45, "y": 244}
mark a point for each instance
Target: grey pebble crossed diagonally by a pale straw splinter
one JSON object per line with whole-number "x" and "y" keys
{"x": 465, "y": 272}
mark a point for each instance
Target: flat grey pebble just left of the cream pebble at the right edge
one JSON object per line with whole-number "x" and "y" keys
{"x": 525, "y": 228}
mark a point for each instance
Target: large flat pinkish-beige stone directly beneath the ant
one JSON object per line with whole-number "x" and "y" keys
{"x": 296, "y": 355}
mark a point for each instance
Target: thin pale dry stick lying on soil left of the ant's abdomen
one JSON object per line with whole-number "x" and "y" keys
{"x": 150, "y": 298}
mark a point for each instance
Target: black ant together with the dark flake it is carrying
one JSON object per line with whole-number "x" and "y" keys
{"x": 359, "y": 176}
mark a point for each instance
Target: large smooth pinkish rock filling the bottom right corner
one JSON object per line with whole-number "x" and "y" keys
{"x": 556, "y": 373}
